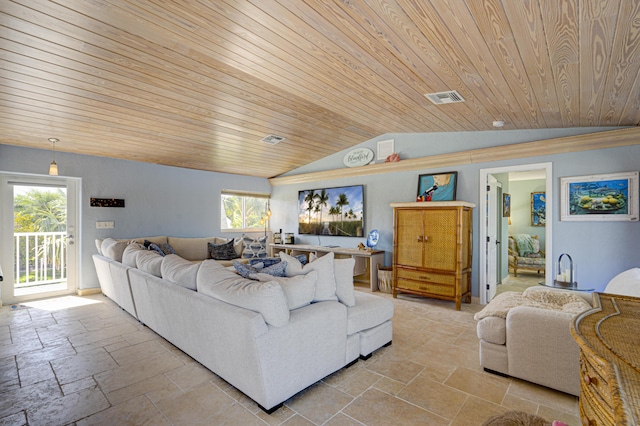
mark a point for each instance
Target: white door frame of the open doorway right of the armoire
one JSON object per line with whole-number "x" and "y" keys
{"x": 484, "y": 180}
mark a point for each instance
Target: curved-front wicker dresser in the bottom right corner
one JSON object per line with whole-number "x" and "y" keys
{"x": 609, "y": 339}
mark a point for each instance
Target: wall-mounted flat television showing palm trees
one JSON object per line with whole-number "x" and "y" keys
{"x": 332, "y": 211}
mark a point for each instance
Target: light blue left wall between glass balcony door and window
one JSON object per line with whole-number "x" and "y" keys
{"x": 159, "y": 200}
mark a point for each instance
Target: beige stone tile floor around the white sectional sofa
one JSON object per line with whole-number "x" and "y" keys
{"x": 94, "y": 364}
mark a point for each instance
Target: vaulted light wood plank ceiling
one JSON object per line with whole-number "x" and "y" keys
{"x": 197, "y": 84}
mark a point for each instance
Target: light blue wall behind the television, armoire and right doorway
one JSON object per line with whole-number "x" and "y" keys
{"x": 601, "y": 249}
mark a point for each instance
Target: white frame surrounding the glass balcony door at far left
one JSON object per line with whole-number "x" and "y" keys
{"x": 74, "y": 226}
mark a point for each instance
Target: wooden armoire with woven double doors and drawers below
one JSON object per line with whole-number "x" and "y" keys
{"x": 432, "y": 249}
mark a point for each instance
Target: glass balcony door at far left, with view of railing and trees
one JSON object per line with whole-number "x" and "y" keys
{"x": 38, "y": 253}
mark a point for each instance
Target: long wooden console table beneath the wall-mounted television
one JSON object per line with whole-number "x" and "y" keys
{"x": 366, "y": 261}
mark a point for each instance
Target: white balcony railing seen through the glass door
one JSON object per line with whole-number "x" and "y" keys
{"x": 40, "y": 258}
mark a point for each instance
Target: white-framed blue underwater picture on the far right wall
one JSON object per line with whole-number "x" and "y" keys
{"x": 610, "y": 197}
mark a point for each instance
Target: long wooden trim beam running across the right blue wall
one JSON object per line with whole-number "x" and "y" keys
{"x": 563, "y": 145}
